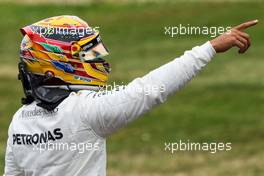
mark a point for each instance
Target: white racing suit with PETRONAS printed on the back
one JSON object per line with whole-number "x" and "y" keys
{"x": 71, "y": 140}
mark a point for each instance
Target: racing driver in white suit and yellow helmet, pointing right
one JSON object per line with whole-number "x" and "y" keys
{"x": 63, "y": 71}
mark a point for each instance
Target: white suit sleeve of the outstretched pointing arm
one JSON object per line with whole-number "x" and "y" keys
{"x": 108, "y": 111}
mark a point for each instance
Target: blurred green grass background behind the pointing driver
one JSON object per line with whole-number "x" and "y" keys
{"x": 225, "y": 103}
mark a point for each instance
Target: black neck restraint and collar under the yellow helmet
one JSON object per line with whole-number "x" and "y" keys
{"x": 46, "y": 96}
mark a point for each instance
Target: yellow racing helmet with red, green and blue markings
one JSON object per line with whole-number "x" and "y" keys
{"x": 64, "y": 50}
